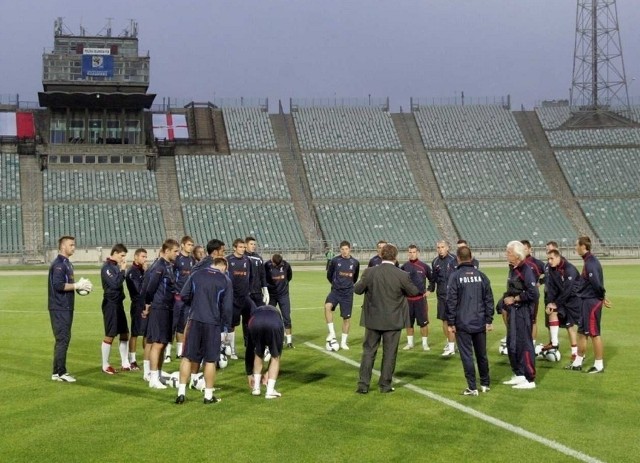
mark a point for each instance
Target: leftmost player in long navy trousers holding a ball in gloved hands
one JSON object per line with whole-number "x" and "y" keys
{"x": 61, "y": 304}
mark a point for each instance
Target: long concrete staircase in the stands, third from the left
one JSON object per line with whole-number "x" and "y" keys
{"x": 291, "y": 158}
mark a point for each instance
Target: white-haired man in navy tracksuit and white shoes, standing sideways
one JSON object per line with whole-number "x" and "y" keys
{"x": 522, "y": 293}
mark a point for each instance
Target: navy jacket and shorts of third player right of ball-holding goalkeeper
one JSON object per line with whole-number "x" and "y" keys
{"x": 159, "y": 291}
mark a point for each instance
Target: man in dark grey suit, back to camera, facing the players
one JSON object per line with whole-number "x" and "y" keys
{"x": 385, "y": 313}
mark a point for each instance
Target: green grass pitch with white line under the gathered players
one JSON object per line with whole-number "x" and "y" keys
{"x": 319, "y": 417}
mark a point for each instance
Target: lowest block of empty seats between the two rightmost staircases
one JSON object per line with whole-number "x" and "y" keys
{"x": 495, "y": 223}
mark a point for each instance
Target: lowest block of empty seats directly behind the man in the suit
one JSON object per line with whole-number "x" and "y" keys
{"x": 364, "y": 223}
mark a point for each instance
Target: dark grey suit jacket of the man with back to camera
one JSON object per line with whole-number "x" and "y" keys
{"x": 385, "y": 290}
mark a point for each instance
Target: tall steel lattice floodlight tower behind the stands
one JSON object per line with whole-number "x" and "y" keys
{"x": 599, "y": 95}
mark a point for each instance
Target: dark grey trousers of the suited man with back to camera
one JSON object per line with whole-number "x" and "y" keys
{"x": 390, "y": 340}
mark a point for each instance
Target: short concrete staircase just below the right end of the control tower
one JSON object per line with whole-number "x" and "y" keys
{"x": 169, "y": 197}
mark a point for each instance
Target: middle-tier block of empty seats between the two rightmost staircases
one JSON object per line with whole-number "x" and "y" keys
{"x": 487, "y": 174}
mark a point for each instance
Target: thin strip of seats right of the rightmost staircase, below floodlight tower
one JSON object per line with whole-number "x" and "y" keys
{"x": 594, "y": 137}
